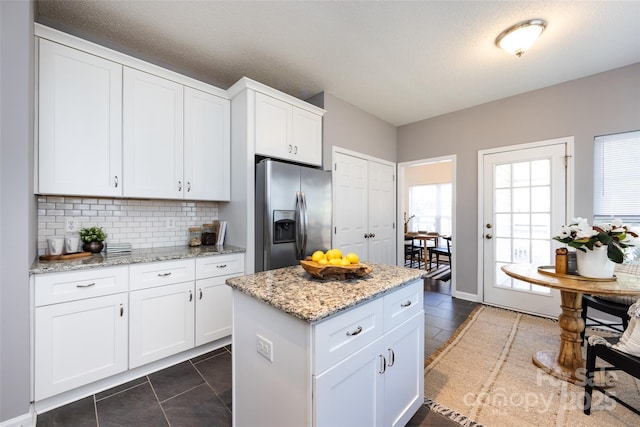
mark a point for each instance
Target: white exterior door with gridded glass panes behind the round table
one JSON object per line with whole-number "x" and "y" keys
{"x": 524, "y": 202}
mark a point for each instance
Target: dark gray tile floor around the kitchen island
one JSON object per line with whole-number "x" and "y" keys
{"x": 198, "y": 392}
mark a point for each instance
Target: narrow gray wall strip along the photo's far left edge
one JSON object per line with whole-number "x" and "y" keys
{"x": 17, "y": 203}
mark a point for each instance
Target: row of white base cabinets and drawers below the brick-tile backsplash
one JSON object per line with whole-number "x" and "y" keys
{"x": 92, "y": 324}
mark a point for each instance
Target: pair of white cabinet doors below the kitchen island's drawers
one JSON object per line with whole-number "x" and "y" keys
{"x": 379, "y": 385}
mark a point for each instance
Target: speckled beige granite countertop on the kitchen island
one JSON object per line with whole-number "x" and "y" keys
{"x": 294, "y": 291}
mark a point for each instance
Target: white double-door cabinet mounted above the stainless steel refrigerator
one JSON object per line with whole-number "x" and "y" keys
{"x": 286, "y": 131}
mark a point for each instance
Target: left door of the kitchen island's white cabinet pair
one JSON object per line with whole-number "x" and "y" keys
{"x": 352, "y": 392}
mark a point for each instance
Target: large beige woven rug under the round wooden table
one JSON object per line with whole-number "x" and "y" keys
{"x": 484, "y": 375}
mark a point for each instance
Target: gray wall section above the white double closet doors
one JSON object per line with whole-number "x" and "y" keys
{"x": 346, "y": 126}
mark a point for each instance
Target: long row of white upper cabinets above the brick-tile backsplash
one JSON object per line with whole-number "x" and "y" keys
{"x": 112, "y": 125}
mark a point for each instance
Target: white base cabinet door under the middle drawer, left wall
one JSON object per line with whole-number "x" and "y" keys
{"x": 162, "y": 322}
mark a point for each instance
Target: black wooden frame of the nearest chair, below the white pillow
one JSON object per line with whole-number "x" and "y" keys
{"x": 619, "y": 360}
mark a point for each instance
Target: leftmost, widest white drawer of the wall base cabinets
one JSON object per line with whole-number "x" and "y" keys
{"x": 63, "y": 287}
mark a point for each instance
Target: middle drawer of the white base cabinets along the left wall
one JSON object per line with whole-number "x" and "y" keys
{"x": 143, "y": 276}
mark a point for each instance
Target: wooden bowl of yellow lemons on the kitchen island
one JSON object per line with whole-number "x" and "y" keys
{"x": 334, "y": 265}
